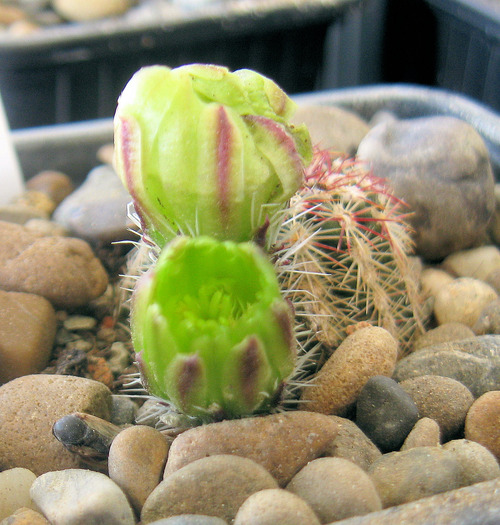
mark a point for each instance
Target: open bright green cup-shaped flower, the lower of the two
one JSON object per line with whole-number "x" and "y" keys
{"x": 211, "y": 331}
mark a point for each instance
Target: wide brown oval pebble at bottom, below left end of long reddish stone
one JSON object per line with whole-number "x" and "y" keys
{"x": 215, "y": 485}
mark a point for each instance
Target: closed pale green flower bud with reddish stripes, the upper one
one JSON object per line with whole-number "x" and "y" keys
{"x": 204, "y": 151}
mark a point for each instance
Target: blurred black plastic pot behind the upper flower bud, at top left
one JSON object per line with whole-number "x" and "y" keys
{"x": 75, "y": 72}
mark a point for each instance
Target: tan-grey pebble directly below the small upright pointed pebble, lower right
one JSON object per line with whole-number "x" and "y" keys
{"x": 400, "y": 477}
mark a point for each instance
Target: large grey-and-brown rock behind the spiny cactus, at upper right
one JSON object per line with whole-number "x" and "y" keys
{"x": 440, "y": 166}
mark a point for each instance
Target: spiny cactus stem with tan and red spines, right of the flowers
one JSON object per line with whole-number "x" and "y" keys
{"x": 343, "y": 259}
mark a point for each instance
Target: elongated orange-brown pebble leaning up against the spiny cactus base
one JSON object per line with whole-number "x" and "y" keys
{"x": 368, "y": 352}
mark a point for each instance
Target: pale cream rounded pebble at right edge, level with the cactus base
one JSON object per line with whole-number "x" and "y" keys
{"x": 462, "y": 301}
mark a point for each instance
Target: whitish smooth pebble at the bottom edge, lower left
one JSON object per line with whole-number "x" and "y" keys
{"x": 81, "y": 497}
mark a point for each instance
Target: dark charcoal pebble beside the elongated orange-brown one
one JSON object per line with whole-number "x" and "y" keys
{"x": 385, "y": 412}
